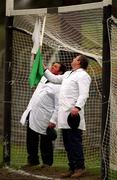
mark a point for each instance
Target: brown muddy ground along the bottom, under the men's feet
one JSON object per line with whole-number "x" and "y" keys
{"x": 36, "y": 173}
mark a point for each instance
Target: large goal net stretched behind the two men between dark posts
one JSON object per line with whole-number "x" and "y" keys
{"x": 65, "y": 35}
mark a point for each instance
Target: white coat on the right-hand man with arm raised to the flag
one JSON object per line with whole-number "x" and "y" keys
{"x": 74, "y": 92}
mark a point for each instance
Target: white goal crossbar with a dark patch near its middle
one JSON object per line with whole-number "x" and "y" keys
{"x": 10, "y": 11}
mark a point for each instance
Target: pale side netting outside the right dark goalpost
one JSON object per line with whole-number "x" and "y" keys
{"x": 109, "y": 139}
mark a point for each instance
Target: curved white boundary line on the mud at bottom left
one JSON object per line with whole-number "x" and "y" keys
{"x": 21, "y": 172}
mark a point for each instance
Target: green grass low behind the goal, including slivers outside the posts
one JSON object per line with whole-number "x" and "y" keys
{"x": 19, "y": 156}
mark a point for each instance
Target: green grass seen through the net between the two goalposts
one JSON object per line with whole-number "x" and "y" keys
{"x": 19, "y": 158}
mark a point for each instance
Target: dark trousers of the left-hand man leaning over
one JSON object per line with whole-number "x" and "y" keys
{"x": 46, "y": 148}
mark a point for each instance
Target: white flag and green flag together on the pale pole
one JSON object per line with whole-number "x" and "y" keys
{"x": 37, "y": 70}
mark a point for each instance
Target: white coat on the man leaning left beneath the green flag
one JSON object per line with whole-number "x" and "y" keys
{"x": 43, "y": 106}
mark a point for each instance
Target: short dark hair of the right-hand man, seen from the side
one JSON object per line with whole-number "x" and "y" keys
{"x": 83, "y": 61}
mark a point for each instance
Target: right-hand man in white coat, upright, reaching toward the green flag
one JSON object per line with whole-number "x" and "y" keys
{"x": 72, "y": 98}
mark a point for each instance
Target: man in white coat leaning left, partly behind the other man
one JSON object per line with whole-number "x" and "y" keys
{"x": 40, "y": 113}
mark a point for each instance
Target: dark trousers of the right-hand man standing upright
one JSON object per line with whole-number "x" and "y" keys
{"x": 72, "y": 140}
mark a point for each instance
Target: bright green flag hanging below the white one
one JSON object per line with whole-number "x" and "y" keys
{"x": 37, "y": 70}
